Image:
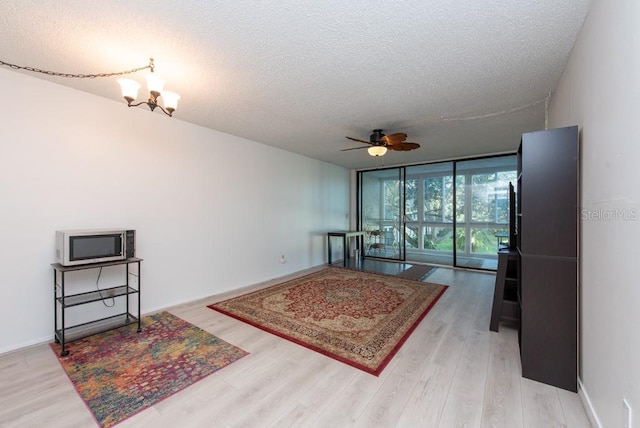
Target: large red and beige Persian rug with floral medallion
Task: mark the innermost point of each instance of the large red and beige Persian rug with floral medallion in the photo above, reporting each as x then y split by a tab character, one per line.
356	317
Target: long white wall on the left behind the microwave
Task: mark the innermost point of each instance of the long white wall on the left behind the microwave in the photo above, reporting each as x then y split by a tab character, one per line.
213	212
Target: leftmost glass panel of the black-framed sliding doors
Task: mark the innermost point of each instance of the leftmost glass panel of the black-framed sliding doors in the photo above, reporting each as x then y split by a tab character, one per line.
382	207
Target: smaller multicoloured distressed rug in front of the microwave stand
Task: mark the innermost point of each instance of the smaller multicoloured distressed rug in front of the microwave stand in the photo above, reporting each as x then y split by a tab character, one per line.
121	372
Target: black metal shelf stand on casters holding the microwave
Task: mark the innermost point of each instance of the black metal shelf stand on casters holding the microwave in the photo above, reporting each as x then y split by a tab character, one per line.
63	333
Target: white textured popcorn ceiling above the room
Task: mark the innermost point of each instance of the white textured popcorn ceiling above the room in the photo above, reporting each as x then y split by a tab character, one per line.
459	77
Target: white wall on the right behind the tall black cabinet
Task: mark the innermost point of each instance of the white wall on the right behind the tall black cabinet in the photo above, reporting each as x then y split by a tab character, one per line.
600	92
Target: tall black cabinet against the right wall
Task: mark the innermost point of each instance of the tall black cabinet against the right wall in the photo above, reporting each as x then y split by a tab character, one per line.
547	244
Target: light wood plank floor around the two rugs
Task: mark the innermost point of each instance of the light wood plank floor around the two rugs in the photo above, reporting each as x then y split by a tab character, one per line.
451	372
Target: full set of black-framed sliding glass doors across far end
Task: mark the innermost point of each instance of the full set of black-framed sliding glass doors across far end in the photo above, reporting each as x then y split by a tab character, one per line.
447	213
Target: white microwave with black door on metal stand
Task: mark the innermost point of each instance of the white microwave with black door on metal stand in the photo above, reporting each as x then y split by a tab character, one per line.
79	247
